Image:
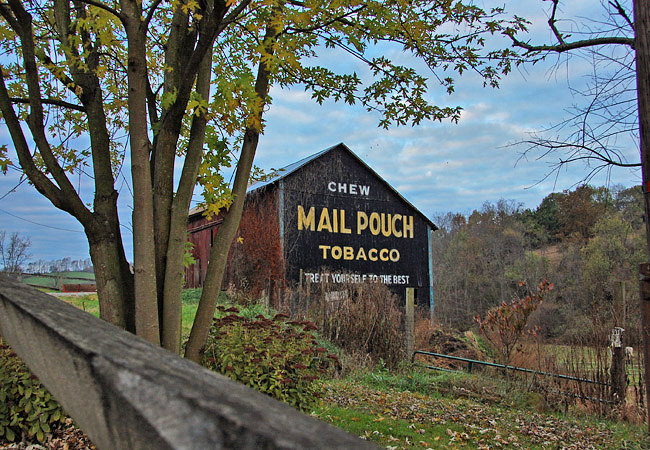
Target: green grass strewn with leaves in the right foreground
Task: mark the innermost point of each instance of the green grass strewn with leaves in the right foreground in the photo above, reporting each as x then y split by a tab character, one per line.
442	410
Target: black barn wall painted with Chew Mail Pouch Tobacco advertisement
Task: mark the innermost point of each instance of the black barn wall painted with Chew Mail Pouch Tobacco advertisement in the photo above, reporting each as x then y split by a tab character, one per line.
345	224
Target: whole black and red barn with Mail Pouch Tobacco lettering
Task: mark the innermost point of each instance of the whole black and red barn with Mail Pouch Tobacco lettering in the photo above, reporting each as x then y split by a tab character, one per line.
328	217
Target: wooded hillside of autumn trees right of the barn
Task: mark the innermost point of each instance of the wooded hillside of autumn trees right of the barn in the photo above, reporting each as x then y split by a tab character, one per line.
588	242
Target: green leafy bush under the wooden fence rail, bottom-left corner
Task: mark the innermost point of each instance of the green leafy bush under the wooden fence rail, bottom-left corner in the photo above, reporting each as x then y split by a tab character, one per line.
27	409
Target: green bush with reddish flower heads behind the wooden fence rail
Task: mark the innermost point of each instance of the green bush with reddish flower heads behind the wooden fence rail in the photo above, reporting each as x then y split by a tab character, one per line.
276	357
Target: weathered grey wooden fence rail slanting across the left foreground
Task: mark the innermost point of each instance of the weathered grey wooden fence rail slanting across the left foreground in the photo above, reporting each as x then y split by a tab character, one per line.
126	393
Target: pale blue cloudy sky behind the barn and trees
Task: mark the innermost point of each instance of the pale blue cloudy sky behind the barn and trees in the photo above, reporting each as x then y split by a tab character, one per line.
438	167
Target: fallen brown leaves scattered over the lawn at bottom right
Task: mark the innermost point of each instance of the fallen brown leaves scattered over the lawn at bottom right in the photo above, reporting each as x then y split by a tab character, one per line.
401	419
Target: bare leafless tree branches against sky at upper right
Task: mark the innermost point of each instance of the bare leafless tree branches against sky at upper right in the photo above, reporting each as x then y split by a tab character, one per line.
604	123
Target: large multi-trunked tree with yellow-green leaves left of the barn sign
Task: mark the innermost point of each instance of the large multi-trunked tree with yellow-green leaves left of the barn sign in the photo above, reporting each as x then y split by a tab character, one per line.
191	79
